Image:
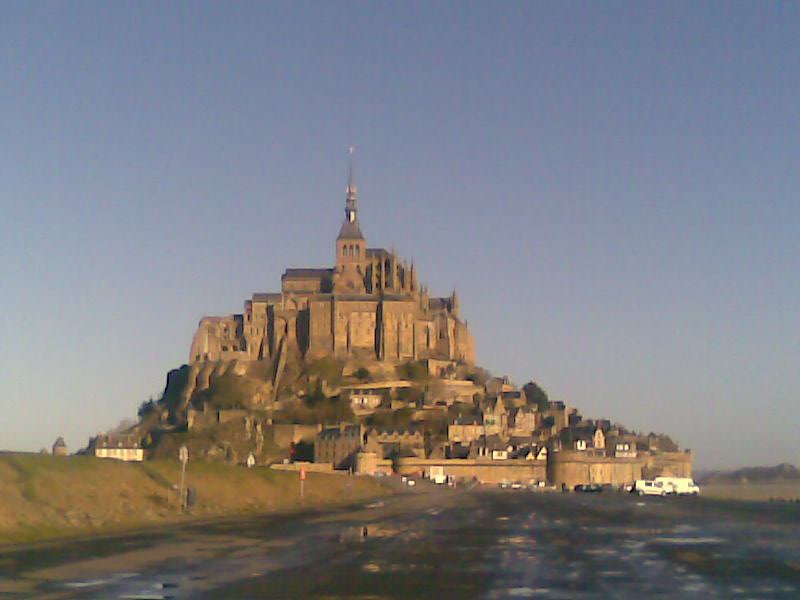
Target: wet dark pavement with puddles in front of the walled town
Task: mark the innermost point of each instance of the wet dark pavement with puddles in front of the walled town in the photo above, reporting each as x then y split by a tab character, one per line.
464	544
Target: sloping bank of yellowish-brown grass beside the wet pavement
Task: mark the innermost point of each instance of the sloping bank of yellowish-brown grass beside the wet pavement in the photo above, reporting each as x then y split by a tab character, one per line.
48	496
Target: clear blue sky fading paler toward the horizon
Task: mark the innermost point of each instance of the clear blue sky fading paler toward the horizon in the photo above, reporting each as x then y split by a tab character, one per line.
613	188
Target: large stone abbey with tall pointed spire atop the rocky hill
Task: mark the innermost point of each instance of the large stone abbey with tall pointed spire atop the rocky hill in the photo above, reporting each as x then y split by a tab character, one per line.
368	306
